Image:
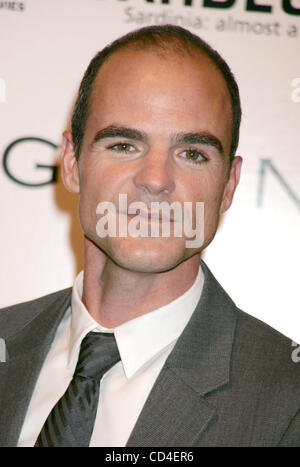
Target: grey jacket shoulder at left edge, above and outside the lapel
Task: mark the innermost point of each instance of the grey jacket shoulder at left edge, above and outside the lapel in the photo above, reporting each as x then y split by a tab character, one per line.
19	315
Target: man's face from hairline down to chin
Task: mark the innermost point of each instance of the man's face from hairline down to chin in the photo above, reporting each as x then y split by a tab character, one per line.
158	129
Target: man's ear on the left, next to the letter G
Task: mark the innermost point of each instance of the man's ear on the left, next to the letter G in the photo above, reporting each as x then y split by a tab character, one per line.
69	164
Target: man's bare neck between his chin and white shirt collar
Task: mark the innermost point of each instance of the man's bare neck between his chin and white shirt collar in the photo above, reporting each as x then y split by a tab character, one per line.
114	295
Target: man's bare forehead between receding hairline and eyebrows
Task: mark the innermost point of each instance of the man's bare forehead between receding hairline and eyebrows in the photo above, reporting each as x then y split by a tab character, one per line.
149	86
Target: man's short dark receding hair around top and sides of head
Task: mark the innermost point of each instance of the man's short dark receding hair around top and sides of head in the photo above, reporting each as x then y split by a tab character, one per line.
165	37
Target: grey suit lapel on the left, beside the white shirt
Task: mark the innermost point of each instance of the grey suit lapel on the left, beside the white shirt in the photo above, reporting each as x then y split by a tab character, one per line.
27	349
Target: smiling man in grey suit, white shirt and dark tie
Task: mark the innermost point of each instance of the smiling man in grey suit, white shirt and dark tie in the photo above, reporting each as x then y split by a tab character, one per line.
156	120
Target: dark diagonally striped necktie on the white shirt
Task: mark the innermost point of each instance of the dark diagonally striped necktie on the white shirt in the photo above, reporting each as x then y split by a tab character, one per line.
71	421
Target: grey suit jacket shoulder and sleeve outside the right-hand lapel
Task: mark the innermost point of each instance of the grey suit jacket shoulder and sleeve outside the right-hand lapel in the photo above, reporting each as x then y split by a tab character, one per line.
261	401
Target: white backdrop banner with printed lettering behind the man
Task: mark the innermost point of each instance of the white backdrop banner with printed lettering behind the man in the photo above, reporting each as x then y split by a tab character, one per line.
45	46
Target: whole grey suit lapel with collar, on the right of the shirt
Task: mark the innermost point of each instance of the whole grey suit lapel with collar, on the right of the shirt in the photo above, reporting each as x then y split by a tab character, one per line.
176	412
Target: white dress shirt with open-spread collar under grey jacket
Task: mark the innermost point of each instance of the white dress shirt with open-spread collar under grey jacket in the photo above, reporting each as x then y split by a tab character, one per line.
144	344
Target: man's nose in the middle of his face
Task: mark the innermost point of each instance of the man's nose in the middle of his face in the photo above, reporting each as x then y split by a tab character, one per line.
154	176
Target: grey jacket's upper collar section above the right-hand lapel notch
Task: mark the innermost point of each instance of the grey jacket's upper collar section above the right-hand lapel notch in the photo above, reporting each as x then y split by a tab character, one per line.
203	352
